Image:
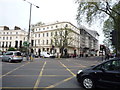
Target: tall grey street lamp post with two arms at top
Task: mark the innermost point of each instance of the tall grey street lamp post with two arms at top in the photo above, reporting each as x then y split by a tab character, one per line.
28	37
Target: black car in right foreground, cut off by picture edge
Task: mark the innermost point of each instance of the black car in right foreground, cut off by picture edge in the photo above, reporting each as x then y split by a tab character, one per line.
104	75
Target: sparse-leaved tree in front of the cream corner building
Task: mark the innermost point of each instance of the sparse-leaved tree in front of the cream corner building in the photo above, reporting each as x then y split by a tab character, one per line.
62	39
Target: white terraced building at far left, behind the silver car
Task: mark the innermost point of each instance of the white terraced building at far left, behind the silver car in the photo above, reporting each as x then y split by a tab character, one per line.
11	38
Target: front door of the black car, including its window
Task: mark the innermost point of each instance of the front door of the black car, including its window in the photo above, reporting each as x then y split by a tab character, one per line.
104	74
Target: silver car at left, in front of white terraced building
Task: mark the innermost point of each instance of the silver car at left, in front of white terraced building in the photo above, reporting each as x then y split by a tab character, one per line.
12	56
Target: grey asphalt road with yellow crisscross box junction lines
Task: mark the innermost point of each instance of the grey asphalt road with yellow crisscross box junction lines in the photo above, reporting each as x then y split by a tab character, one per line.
44	73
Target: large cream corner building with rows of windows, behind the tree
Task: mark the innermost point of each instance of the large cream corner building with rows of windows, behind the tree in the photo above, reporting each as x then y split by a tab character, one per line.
44	37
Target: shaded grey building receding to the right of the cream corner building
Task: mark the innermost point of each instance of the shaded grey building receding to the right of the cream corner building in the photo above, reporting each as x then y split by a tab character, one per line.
89	44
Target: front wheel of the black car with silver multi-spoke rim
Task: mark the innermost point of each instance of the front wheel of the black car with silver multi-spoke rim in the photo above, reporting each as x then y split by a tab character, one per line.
88	83
